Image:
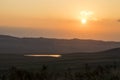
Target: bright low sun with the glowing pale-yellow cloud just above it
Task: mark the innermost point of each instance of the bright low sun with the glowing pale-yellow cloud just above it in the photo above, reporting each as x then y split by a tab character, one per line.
86	16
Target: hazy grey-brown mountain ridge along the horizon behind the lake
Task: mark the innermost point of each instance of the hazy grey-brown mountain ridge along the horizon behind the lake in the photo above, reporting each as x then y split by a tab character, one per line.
10	44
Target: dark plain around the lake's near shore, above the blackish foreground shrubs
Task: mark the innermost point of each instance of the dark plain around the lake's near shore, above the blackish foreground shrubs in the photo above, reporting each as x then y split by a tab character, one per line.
73	60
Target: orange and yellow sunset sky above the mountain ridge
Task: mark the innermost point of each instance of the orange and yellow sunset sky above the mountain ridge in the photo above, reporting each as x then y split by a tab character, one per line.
83	19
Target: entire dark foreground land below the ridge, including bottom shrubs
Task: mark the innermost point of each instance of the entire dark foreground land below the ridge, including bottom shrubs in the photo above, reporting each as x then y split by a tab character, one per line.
75	66
